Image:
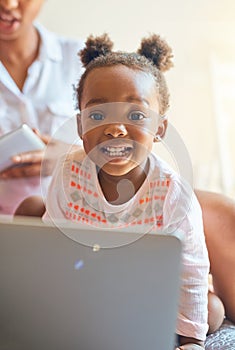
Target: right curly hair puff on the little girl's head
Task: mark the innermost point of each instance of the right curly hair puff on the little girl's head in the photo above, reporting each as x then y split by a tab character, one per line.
158	51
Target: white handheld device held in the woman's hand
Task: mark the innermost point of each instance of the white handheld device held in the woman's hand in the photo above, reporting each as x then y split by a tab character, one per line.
20	140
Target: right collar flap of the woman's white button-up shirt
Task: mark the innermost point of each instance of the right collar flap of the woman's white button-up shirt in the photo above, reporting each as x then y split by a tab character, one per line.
50	47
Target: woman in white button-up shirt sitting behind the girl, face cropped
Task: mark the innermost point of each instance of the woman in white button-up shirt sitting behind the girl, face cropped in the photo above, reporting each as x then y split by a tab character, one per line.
37	73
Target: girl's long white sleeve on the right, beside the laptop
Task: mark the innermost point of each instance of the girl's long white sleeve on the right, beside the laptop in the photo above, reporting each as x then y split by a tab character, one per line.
183	214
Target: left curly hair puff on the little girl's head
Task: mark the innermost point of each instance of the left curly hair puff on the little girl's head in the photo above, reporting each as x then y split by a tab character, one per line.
95	47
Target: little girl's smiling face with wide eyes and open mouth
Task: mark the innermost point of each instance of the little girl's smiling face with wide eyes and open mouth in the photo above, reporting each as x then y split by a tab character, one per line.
116	132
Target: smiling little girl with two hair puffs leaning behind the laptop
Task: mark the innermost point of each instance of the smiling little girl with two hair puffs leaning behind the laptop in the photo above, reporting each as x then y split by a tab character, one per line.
118	182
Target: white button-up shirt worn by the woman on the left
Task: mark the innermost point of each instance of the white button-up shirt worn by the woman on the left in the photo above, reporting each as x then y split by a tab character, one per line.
45	103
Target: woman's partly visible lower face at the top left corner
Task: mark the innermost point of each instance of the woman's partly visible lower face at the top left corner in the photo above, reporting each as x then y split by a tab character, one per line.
17	16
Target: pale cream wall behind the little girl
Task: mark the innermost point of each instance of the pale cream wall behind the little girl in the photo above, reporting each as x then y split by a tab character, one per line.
196	30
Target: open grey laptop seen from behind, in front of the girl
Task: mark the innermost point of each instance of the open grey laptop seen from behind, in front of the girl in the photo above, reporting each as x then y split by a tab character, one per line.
58	293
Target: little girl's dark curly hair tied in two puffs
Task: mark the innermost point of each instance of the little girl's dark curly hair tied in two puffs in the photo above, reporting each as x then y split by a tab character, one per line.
154	57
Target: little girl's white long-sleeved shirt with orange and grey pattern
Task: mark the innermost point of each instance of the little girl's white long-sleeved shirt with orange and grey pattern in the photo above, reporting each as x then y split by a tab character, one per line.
164	203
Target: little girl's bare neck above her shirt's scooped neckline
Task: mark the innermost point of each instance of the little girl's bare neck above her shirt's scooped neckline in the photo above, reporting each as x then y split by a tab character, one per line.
120	189
